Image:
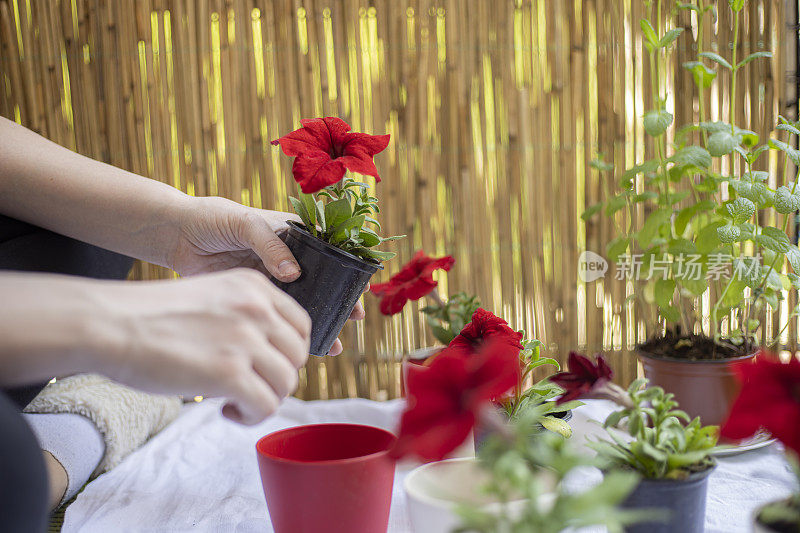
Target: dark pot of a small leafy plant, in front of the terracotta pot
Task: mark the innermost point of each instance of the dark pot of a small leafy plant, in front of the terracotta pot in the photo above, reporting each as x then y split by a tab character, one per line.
684	500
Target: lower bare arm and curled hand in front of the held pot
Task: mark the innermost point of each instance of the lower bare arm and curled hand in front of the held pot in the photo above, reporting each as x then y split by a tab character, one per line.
231	334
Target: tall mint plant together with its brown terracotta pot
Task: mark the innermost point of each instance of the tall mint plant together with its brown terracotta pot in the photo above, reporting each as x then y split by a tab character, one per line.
698	249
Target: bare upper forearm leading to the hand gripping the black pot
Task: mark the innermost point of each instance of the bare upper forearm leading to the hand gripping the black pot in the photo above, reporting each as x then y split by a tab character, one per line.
50	186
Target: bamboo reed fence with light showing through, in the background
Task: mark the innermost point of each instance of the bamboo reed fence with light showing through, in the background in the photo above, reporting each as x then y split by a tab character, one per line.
495	108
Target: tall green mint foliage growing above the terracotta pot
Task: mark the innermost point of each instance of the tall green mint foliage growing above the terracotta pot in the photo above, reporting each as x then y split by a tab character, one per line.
679	193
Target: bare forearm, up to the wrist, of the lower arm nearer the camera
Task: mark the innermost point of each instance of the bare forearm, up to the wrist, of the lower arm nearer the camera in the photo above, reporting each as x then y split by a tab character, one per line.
46	327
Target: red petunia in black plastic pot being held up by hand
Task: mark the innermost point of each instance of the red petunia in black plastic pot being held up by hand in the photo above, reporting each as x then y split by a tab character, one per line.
335	244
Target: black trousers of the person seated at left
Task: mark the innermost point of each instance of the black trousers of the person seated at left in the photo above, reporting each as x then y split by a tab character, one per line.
23	478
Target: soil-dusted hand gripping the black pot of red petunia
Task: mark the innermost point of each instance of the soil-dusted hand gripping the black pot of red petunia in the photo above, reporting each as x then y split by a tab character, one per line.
218	234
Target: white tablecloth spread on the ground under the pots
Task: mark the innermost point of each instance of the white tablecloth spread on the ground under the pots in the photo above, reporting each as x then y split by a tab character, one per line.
200	474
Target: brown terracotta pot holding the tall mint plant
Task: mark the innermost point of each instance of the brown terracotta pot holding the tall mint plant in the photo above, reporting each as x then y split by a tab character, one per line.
704	388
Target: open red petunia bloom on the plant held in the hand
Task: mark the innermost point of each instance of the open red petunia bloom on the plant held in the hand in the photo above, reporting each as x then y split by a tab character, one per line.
324	147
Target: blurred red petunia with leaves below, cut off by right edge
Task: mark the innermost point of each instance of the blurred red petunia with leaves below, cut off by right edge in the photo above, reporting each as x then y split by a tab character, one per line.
770	399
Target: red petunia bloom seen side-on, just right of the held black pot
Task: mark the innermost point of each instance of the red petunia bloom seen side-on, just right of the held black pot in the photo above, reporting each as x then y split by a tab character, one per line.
414	281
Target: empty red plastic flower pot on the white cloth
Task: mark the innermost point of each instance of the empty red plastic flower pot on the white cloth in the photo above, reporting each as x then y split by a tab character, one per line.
335	478
